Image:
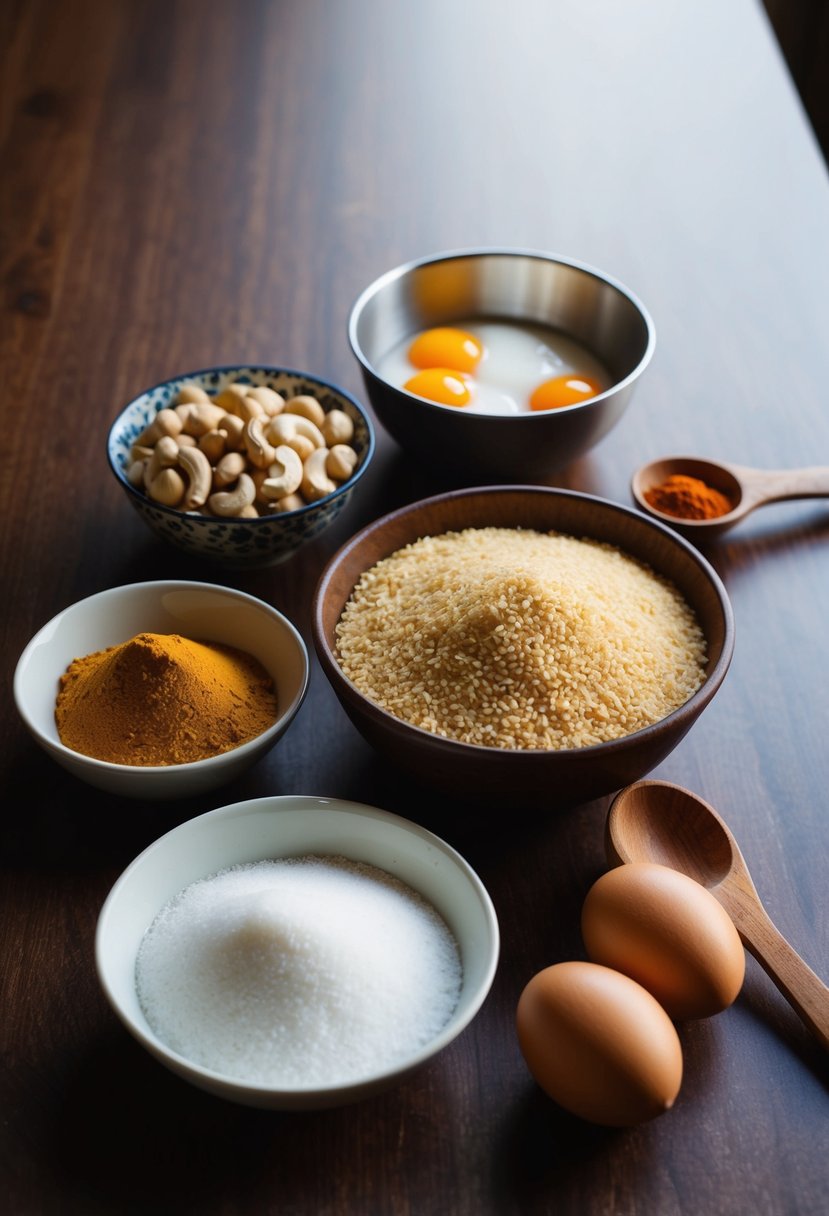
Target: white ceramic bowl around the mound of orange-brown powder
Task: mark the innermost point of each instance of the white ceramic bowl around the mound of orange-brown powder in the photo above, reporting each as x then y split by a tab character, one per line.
199	611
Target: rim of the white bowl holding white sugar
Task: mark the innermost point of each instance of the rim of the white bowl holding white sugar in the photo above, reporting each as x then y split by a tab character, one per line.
274	806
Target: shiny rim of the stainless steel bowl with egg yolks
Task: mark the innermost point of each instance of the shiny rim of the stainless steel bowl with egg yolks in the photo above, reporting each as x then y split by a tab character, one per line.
459	255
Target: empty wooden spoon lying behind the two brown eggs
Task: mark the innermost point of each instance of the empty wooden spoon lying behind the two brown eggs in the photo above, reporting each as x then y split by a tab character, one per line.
664	824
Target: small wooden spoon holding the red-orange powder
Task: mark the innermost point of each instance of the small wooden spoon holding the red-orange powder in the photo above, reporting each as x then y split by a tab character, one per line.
747	488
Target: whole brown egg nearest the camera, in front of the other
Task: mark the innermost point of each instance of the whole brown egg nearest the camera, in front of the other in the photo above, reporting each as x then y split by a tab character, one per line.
599	1044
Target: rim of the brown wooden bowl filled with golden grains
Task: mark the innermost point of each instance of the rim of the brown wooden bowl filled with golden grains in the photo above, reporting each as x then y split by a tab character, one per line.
698	700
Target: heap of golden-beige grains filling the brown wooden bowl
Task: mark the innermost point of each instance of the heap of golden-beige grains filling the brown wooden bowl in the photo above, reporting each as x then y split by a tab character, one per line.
516	639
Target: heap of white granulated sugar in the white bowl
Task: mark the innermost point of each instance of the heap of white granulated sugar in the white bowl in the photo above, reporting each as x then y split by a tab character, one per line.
298	973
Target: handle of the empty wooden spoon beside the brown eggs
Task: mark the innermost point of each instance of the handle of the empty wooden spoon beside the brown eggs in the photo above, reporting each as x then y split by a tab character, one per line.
796	979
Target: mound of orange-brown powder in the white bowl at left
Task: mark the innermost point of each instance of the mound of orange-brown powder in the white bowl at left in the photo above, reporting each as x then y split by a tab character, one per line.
163	700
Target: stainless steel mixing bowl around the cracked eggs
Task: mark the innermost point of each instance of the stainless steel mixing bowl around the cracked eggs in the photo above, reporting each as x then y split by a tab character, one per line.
512	285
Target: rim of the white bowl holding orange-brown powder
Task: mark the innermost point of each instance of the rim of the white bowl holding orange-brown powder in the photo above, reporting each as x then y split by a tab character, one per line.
210	763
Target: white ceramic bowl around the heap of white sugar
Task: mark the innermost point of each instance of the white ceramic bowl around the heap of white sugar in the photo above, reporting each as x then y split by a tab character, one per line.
281	827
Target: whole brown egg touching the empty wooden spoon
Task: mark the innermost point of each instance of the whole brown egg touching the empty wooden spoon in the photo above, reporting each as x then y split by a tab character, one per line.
669	934
